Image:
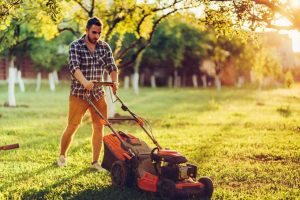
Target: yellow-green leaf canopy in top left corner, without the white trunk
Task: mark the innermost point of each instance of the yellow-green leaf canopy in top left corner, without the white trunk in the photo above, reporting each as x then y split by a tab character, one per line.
38	17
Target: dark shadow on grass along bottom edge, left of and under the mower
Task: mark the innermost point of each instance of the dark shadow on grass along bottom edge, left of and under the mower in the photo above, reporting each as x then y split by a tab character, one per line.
63	189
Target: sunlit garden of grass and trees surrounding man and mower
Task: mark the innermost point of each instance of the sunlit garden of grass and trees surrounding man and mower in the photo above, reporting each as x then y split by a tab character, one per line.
217	80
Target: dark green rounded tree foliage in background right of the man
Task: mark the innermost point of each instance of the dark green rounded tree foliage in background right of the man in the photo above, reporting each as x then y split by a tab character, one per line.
175	45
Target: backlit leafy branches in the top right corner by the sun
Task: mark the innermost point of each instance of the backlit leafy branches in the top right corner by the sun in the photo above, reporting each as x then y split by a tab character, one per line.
262	13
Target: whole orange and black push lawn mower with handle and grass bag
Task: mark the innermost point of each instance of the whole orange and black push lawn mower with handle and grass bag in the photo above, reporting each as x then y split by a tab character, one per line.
131	161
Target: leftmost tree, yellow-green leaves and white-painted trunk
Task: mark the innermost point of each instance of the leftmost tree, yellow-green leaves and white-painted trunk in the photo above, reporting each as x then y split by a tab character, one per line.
20	22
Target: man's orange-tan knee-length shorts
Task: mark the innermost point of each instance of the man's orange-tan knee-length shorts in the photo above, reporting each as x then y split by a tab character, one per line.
78	107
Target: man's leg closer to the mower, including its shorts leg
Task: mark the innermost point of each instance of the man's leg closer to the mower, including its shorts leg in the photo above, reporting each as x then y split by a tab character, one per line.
98	127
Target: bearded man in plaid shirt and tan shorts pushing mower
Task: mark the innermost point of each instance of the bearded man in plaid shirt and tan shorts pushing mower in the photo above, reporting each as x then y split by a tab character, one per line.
88	59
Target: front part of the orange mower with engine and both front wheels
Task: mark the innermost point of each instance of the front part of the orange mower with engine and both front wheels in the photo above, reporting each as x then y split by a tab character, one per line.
177	177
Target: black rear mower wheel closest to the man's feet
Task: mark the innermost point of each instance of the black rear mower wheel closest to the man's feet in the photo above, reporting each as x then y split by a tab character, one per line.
120	174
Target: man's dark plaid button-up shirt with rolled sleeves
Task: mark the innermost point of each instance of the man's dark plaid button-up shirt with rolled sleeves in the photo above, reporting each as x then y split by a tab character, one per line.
91	65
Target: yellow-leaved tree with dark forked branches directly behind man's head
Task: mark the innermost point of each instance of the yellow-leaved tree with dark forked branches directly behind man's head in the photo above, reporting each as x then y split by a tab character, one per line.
120	18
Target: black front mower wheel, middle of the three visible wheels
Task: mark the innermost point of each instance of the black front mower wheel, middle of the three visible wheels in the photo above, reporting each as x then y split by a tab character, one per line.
167	189
